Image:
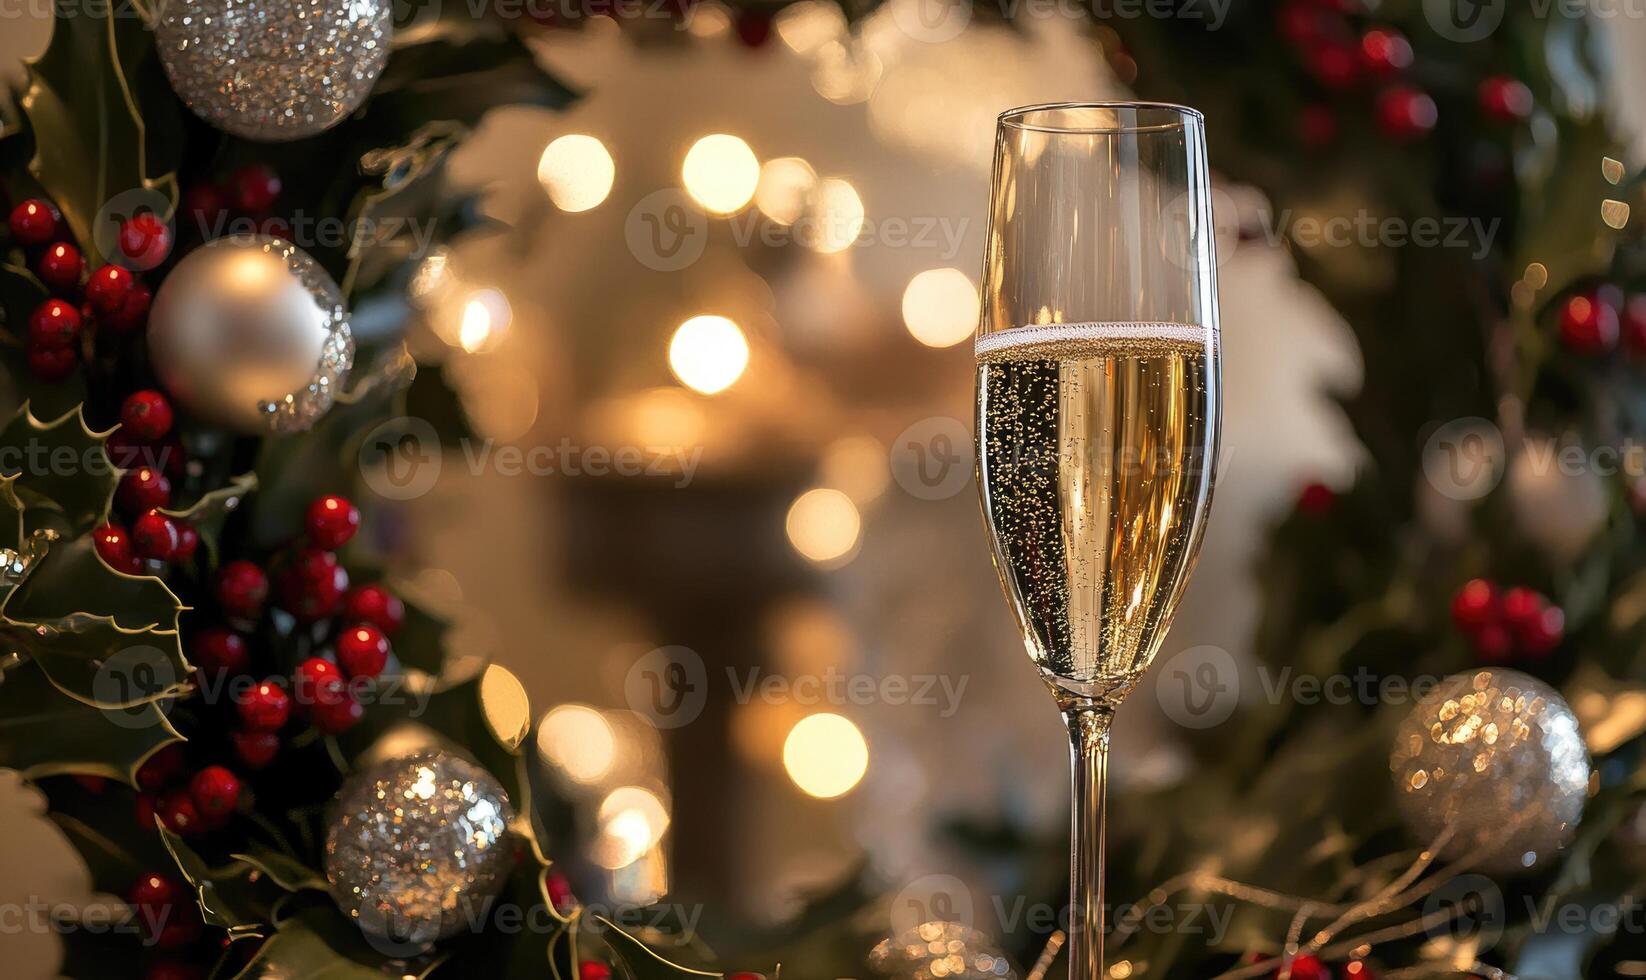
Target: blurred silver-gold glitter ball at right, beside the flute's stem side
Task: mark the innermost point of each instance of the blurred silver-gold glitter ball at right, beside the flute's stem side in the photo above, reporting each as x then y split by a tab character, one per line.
1497	763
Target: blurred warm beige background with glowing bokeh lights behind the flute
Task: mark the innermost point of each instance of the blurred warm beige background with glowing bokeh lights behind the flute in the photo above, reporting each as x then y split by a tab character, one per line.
559	335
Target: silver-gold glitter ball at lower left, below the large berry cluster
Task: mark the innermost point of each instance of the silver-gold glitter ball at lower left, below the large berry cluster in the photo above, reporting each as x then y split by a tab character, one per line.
419	846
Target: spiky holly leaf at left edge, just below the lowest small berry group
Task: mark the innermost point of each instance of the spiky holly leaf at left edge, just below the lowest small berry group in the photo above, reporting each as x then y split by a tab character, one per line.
123	651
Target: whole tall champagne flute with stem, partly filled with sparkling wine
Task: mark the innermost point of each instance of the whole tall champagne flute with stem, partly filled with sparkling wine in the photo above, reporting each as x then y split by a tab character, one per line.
1099	401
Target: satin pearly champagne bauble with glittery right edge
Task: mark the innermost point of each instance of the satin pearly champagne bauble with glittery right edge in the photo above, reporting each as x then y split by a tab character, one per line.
251	334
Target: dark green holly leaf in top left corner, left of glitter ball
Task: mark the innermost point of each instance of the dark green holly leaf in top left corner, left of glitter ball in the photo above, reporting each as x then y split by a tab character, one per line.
85	105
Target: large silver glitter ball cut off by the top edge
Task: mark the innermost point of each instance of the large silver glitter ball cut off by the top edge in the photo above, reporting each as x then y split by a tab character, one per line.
274	70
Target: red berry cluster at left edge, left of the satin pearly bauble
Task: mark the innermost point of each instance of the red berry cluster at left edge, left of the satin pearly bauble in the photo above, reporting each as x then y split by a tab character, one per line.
111	296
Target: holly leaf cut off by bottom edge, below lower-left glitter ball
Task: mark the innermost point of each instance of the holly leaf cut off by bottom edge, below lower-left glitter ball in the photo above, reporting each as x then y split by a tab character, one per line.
319	941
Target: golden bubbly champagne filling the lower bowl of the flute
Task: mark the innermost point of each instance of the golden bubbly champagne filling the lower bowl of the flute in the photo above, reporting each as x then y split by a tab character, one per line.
1097	452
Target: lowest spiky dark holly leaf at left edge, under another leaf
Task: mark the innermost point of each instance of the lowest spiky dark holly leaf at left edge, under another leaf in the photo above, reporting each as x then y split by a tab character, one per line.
45	732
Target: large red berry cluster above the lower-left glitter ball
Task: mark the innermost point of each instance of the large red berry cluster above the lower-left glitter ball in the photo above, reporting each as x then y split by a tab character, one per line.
314	587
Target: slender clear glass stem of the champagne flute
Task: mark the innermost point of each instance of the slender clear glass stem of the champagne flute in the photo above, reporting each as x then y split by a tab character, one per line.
1089	734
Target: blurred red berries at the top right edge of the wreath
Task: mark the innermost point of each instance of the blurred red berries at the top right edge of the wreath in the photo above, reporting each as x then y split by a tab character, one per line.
1342	57
